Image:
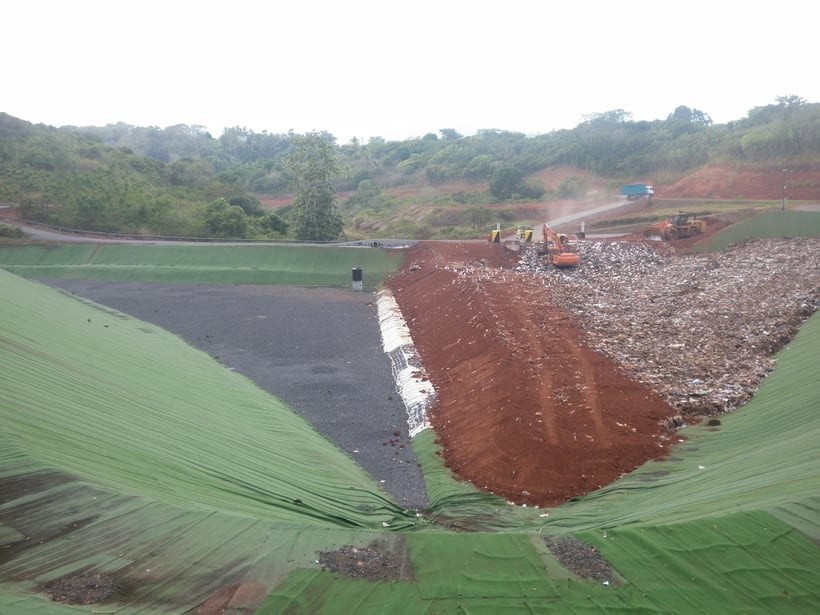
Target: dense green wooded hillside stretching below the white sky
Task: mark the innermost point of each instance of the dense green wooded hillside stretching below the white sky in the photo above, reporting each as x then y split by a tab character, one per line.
182	181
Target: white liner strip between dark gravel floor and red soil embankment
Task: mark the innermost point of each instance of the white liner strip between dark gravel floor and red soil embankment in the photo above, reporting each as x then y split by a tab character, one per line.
416	391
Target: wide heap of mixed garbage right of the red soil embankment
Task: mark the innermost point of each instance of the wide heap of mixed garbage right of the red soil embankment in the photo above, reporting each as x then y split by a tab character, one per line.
698	329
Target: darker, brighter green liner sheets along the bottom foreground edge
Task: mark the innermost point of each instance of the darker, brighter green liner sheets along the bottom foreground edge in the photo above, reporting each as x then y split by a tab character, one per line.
743	563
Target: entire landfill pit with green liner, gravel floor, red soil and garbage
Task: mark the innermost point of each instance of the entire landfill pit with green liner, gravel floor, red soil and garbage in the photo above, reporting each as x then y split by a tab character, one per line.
609	424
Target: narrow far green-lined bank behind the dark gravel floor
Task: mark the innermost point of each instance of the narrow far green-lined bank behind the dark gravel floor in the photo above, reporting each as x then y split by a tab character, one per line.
302	265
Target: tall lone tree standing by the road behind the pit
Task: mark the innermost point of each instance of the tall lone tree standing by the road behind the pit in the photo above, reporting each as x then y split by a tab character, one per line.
313	168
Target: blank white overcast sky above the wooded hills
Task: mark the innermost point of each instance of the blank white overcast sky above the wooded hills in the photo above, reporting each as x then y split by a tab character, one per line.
397	70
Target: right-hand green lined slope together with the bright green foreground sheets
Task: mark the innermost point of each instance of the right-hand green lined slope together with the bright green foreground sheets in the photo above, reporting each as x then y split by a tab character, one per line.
730	524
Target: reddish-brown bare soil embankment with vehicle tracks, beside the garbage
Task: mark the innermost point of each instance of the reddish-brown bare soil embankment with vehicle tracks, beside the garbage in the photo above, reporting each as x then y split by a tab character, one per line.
525	410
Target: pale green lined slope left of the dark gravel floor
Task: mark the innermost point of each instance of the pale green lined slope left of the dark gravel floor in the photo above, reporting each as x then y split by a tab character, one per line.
110	399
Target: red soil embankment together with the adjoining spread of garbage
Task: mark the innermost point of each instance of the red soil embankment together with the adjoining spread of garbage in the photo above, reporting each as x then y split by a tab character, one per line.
552	383
